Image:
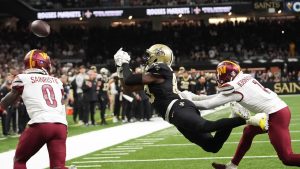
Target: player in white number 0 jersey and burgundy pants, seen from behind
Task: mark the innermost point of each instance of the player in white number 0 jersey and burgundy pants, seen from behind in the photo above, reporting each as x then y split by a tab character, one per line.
43	98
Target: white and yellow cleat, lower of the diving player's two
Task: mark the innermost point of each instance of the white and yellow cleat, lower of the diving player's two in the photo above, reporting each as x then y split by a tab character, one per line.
260	120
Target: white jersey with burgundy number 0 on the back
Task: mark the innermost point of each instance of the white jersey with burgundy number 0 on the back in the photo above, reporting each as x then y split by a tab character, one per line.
42	96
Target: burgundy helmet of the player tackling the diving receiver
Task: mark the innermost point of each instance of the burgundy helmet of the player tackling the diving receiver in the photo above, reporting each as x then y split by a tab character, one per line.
227	71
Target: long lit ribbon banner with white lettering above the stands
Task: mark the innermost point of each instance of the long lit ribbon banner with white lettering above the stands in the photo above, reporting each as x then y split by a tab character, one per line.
140	12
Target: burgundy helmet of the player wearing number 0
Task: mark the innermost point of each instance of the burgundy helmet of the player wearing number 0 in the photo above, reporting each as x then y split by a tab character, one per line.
37	59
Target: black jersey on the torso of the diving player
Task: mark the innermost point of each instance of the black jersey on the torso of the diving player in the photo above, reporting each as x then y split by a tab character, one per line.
161	95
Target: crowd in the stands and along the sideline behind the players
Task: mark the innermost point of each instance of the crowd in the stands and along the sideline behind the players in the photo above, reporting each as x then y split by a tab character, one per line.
89	86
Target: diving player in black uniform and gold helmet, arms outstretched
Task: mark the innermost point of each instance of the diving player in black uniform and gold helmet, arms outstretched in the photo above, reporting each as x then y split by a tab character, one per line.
160	84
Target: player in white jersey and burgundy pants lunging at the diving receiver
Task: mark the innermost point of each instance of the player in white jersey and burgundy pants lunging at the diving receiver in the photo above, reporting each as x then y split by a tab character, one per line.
246	90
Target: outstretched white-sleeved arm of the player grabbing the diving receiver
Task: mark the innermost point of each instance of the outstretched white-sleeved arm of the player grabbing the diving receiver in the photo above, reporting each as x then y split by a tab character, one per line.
217	100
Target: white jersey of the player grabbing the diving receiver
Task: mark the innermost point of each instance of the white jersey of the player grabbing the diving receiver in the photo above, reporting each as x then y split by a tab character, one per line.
255	97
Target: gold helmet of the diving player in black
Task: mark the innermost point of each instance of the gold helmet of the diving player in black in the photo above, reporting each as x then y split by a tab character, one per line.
159	53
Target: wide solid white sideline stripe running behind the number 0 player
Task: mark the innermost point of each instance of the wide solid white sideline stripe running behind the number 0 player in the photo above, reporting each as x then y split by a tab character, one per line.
90	142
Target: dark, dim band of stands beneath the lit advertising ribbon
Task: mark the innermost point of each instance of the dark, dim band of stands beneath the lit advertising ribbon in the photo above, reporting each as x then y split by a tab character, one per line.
266	40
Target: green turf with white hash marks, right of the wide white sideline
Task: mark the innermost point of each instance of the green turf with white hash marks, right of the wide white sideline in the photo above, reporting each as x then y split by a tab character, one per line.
168	149
